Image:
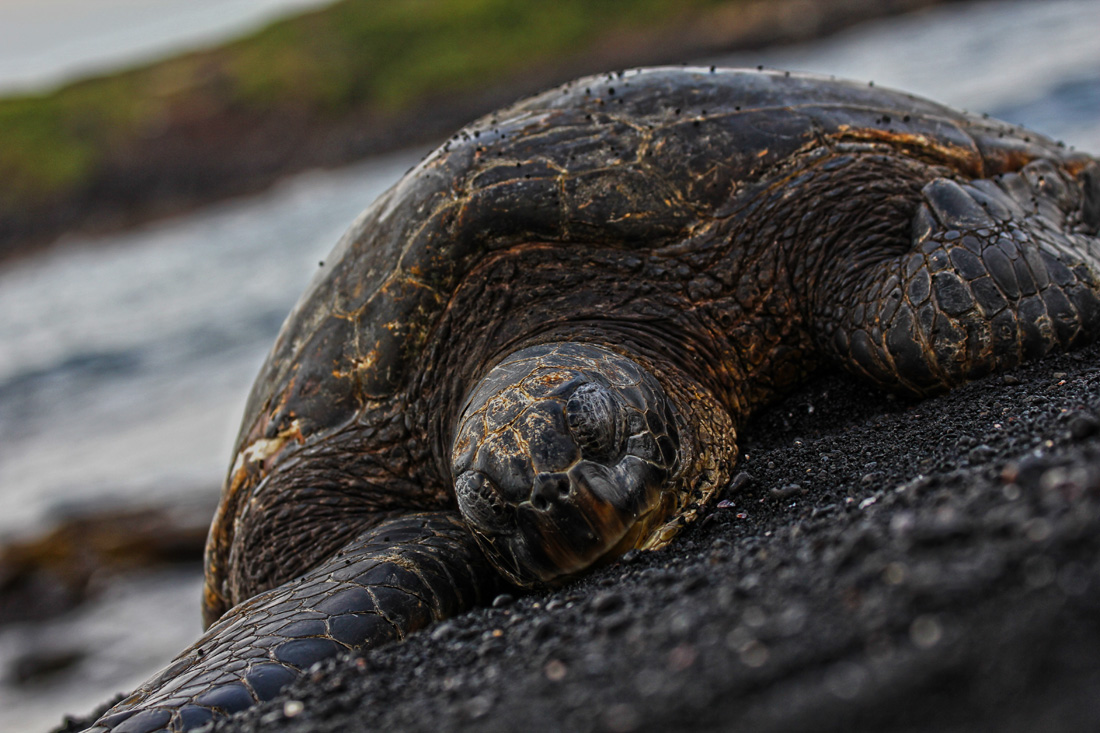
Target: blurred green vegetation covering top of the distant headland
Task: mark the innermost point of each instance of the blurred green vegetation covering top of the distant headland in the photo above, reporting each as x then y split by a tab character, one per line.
378	54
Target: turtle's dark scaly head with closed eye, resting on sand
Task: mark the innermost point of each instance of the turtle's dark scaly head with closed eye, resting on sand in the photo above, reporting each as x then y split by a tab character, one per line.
564	458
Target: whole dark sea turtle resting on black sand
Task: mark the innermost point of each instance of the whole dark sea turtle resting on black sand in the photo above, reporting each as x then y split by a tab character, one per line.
537	349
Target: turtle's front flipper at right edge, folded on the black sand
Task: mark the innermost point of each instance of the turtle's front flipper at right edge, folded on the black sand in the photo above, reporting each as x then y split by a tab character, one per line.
999	271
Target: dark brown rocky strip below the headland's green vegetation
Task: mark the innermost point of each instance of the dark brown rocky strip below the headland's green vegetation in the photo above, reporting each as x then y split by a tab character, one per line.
196	161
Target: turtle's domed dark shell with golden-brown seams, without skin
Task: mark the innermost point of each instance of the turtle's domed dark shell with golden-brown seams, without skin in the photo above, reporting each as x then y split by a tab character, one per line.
629	161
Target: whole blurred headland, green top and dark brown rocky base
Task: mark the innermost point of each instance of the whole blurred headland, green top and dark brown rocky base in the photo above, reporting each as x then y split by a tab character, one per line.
336	85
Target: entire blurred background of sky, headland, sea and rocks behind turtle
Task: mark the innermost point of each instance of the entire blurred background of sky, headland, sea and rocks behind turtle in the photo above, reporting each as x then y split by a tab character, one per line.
172	172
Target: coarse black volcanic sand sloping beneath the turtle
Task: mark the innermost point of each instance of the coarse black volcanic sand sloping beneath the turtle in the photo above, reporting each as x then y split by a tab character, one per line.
889	565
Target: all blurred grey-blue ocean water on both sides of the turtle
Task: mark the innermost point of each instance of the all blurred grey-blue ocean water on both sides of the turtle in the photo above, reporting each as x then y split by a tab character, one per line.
125	360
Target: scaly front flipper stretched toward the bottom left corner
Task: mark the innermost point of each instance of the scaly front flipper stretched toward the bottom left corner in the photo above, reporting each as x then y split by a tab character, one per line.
392	581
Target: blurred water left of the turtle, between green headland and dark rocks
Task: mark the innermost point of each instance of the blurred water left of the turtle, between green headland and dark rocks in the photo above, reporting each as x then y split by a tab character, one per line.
126	360
